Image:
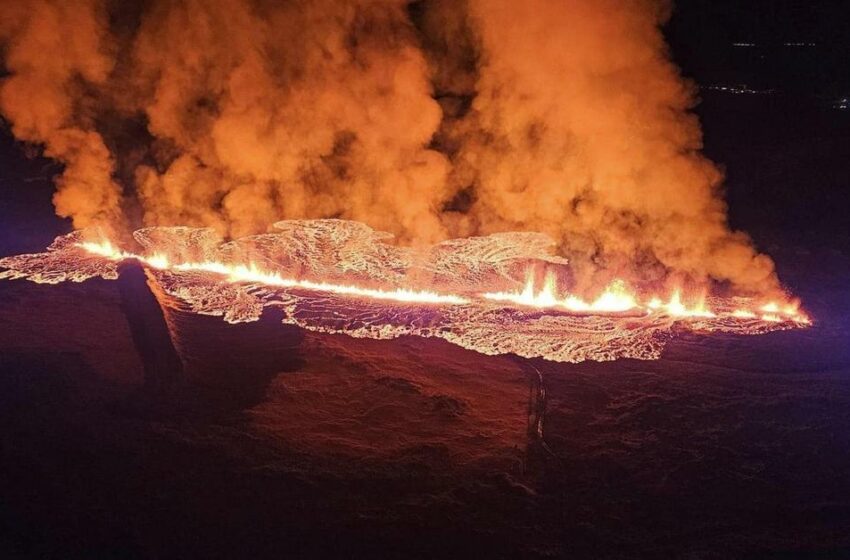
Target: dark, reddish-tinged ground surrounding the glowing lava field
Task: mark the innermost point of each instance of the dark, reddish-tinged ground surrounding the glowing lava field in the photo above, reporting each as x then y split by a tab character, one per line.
327	446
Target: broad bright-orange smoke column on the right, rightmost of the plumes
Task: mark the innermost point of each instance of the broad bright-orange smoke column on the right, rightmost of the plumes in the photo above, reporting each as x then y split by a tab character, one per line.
580	128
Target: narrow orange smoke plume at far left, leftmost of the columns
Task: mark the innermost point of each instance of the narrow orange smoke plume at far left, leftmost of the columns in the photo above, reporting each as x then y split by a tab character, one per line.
56	53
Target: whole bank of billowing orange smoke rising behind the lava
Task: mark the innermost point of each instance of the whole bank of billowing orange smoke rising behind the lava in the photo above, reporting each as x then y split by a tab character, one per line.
429	119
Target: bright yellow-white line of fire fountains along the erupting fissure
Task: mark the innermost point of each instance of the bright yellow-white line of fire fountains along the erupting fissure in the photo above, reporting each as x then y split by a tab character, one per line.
617	298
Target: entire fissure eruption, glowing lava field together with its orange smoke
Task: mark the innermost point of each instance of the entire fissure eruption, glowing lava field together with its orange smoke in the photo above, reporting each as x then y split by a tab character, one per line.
517	178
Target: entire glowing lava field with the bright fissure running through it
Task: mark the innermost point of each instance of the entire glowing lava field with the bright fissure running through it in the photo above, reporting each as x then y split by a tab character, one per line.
338	276
